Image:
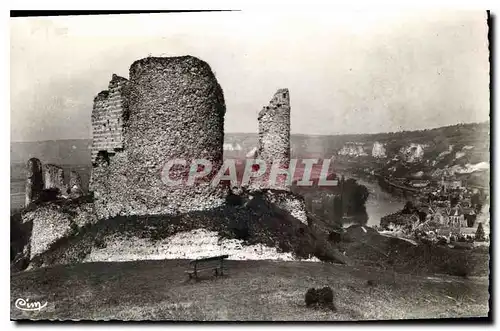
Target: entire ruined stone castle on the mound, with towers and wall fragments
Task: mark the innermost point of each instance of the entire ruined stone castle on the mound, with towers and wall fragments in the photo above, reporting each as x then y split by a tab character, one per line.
169	109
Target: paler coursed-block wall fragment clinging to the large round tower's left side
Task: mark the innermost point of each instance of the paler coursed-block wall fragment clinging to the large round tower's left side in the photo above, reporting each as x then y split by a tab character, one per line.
108	117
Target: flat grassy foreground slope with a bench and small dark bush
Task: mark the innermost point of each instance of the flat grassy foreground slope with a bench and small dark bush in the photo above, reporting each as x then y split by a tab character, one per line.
253	290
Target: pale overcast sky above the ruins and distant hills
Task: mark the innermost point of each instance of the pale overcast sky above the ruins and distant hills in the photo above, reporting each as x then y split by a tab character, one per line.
347	72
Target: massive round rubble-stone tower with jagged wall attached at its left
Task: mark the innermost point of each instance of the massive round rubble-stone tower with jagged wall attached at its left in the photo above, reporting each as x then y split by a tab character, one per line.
171	108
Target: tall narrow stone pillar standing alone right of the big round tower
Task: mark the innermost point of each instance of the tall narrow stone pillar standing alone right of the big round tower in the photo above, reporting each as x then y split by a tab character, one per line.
274	133
